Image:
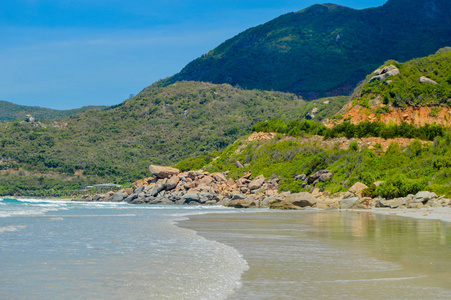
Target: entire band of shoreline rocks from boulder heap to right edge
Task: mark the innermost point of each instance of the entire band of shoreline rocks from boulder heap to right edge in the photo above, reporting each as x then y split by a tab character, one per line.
203	188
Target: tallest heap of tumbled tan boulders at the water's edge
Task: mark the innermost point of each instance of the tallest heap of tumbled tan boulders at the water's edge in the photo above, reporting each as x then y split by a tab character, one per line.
169	186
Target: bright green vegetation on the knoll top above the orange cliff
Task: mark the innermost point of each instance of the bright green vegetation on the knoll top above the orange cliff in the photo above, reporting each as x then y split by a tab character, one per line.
406	89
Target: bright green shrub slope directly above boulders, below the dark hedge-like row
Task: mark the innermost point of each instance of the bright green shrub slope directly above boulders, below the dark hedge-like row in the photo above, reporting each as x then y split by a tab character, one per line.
403	170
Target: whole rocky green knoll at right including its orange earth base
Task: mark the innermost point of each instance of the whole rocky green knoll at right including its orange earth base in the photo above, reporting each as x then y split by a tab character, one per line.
417	92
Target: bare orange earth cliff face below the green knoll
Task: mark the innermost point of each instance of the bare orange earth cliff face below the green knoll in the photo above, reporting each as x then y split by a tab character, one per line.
418	116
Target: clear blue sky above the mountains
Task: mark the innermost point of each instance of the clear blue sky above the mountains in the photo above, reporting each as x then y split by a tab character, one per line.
65	54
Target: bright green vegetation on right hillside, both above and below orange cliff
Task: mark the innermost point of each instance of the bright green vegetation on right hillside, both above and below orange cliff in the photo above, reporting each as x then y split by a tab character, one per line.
403	170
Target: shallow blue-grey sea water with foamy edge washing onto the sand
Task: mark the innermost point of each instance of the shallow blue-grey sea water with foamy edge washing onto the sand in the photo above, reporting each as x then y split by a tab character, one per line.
81	250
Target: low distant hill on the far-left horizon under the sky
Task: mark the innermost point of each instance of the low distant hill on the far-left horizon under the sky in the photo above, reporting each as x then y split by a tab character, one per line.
10	111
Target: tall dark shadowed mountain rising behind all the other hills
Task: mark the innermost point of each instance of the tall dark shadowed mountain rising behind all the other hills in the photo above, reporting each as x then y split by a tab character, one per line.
324	50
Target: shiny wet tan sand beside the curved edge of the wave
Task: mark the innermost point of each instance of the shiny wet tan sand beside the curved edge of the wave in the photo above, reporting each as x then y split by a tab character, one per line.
334	254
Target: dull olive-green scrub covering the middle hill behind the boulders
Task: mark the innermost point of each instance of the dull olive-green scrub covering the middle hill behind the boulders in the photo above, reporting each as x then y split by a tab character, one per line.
158	126
